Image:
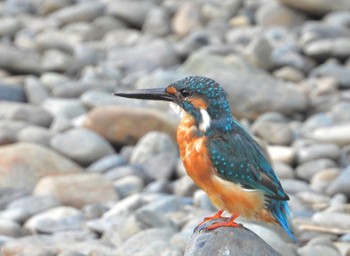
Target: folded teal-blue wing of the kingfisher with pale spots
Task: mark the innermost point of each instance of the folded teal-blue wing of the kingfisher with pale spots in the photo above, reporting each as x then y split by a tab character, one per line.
239	159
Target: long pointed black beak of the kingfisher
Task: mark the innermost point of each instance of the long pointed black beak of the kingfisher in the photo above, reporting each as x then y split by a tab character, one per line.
147	94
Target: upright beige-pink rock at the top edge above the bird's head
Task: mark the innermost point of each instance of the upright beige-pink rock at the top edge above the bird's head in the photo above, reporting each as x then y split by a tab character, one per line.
187	19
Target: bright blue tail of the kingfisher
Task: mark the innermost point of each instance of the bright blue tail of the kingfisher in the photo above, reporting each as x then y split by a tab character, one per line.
280	210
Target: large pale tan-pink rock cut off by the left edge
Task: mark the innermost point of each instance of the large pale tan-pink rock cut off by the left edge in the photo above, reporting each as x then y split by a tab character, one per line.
23	164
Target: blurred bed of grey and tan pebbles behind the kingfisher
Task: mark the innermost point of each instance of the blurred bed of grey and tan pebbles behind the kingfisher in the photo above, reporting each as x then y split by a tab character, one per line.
85	173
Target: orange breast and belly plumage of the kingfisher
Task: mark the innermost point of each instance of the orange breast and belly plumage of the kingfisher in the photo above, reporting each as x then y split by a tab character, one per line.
223	194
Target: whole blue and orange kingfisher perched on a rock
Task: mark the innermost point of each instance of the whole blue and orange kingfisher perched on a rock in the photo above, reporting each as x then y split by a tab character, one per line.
219	154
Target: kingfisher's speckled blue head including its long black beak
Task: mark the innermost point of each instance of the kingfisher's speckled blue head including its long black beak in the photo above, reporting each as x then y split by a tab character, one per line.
201	97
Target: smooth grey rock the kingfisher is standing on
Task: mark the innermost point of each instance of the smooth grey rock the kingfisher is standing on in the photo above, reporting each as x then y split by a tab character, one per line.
229	241
